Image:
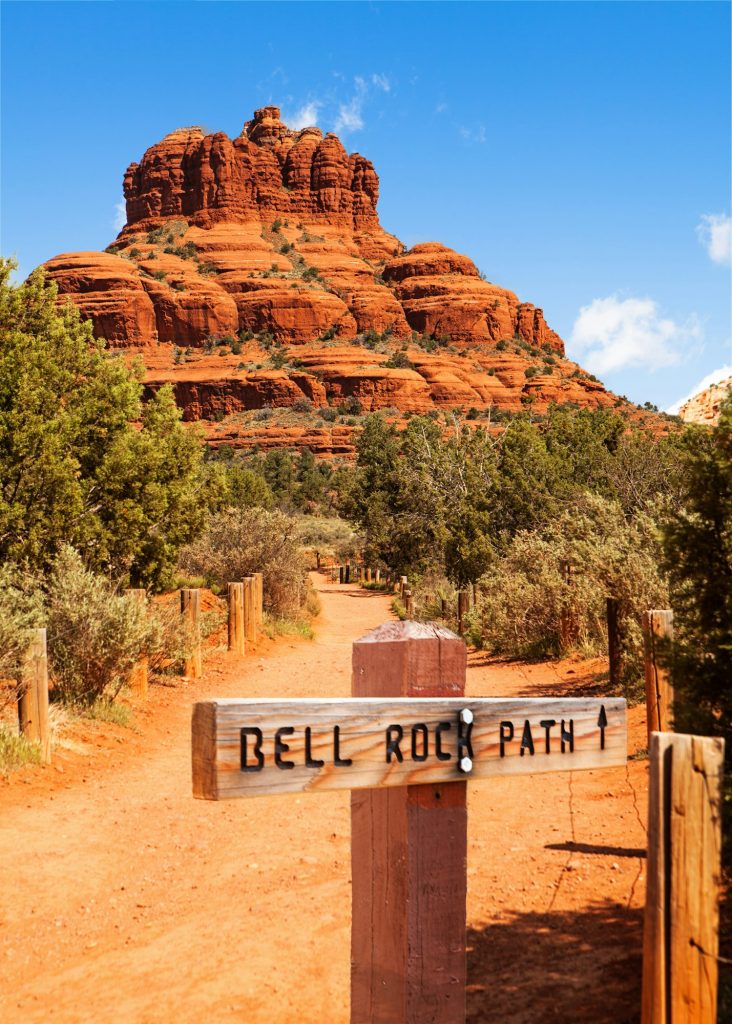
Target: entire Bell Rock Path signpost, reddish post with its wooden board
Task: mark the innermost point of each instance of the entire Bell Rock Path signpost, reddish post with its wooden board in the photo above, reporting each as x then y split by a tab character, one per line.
405	745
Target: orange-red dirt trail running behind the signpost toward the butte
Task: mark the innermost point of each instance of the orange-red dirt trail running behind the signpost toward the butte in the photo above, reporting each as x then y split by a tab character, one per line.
122	900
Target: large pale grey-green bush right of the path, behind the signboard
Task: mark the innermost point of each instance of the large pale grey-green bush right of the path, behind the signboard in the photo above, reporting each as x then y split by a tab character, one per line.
526	599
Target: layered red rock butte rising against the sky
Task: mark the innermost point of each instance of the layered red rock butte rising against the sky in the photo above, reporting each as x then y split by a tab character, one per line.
236	251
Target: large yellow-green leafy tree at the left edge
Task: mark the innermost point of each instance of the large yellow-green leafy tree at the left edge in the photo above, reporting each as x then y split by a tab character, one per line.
73	468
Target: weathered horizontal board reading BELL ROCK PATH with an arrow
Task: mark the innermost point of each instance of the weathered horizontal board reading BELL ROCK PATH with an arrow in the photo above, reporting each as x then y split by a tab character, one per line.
250	748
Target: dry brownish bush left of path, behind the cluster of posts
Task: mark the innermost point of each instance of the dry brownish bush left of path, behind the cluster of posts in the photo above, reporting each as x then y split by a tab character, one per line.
242	541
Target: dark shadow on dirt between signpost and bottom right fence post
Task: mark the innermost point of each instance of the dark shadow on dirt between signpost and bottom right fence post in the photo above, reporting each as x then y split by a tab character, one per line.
570	967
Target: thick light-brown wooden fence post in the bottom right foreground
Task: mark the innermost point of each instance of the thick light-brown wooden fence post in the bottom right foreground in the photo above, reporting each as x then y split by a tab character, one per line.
680	941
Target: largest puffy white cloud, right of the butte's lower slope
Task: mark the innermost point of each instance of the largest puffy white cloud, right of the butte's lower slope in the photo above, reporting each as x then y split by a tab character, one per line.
614	334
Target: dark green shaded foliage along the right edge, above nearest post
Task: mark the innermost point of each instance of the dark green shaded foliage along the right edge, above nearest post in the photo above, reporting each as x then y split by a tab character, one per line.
698	546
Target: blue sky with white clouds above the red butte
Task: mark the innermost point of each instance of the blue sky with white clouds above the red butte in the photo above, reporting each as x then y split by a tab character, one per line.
580	153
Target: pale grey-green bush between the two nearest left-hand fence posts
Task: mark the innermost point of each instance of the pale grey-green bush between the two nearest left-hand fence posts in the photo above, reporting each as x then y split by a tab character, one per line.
96	635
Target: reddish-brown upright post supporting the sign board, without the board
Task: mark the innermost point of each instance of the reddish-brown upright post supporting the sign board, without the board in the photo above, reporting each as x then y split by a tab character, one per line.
409	851
